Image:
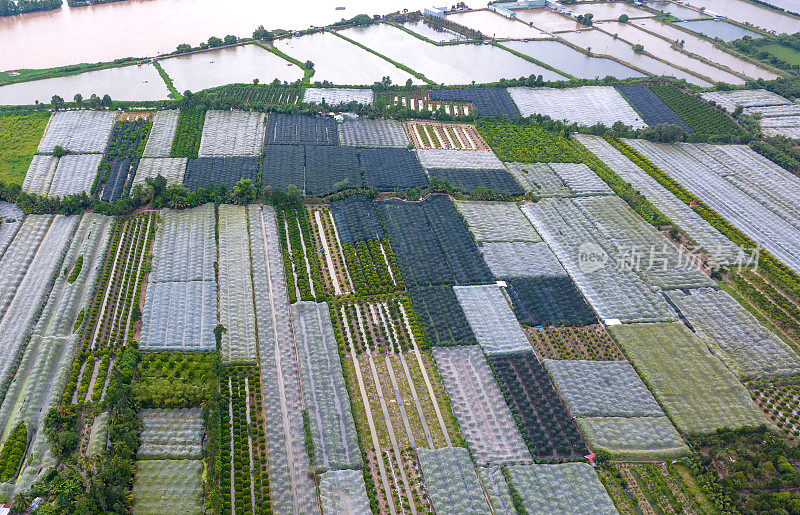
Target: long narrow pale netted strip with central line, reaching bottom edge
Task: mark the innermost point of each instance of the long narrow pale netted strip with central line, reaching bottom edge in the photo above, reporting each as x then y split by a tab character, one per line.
291	488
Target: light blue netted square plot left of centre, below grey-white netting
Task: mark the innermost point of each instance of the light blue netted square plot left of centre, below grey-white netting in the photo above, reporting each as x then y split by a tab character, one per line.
179	316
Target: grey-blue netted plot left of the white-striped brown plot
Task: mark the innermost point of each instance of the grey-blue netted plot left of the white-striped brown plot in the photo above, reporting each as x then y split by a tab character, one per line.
301	129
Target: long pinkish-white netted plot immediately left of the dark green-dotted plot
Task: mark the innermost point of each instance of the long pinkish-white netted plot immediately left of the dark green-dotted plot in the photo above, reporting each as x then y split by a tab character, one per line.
486	422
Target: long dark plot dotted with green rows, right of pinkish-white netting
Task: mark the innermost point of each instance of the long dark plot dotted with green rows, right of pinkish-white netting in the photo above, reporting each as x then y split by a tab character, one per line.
543	419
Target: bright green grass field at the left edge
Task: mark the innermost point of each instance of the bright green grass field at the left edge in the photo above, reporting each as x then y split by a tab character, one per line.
20	133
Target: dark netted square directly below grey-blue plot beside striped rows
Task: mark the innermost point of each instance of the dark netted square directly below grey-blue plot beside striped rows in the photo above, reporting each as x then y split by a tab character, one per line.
389	169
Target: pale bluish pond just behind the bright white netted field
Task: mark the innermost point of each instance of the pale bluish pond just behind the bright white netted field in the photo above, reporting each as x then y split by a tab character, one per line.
569	60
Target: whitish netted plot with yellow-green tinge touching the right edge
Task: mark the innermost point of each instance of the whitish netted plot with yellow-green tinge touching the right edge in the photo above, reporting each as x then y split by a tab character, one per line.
735	336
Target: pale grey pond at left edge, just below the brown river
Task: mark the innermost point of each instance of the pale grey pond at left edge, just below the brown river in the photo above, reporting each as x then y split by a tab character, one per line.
127	83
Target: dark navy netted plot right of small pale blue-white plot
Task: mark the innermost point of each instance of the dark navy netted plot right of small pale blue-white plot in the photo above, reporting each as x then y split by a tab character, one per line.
548	300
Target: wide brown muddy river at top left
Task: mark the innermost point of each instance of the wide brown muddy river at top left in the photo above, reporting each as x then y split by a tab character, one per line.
136	28
